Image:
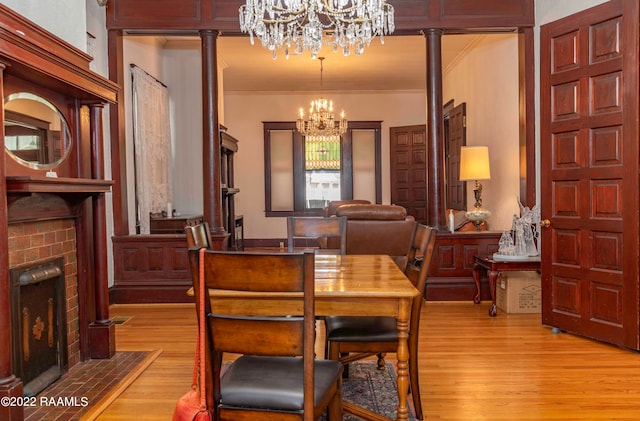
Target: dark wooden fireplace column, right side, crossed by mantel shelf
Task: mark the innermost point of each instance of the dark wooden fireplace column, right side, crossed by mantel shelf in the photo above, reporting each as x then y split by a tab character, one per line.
102	331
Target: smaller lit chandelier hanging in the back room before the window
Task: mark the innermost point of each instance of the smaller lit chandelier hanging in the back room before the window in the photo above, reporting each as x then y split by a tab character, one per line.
321	122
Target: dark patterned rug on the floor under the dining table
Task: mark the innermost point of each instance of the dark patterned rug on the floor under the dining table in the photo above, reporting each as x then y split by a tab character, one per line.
373	389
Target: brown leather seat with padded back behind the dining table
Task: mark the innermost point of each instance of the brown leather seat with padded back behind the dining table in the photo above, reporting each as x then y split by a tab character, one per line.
378	229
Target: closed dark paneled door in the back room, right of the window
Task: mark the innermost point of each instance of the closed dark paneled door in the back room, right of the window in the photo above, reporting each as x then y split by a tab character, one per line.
409	169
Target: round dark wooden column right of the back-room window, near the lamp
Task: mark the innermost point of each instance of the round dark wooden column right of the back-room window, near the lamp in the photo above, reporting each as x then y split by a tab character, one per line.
435	133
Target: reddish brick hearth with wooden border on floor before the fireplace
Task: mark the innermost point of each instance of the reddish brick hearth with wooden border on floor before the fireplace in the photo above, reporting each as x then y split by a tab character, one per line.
89	387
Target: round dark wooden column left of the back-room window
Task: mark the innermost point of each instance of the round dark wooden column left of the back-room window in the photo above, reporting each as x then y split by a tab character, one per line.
211	140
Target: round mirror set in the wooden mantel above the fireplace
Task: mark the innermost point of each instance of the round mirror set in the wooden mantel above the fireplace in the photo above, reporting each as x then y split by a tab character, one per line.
35	133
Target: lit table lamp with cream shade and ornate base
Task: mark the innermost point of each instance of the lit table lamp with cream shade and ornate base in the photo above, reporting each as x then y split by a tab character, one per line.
474	165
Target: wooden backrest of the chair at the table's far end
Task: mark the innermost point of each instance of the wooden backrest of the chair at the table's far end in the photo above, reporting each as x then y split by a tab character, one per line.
319	230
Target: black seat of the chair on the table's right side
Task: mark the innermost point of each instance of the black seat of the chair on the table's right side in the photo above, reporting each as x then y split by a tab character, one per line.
361	329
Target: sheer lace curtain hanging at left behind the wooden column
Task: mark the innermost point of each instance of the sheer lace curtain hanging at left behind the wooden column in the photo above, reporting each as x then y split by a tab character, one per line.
152	143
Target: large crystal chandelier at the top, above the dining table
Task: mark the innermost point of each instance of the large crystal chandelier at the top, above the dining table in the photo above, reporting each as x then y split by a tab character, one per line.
309	24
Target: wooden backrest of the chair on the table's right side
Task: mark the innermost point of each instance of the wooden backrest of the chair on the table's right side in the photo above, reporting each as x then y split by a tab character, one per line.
417	265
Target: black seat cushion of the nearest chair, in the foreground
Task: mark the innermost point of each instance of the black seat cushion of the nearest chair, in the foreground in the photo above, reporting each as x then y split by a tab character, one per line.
274	382
